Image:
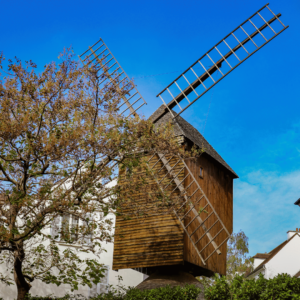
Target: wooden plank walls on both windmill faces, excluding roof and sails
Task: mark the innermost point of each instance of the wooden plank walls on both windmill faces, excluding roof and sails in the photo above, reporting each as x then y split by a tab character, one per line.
158	239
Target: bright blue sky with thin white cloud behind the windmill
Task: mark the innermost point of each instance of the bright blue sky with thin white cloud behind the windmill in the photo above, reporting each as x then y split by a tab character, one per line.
253	119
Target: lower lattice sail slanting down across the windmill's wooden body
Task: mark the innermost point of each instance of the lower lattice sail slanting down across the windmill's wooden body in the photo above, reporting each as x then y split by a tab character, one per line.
190	210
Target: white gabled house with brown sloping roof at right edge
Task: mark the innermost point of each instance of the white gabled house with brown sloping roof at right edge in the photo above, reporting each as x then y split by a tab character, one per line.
282	259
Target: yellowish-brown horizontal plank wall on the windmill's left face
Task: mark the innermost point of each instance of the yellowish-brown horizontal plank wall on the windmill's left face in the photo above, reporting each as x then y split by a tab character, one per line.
152	240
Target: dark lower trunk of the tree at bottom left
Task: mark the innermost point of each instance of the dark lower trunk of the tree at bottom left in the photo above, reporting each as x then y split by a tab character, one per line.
22	285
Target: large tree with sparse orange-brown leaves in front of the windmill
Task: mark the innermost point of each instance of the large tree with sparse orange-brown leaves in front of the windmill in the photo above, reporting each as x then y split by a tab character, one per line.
62	143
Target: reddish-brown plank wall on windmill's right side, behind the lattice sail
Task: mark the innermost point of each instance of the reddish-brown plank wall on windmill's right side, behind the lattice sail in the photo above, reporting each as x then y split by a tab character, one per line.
217	184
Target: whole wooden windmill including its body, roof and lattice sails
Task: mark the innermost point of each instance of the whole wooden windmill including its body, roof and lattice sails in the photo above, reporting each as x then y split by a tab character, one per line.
187	236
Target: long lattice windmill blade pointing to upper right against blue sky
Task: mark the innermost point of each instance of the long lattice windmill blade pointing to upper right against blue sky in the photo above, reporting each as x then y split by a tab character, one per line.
221	59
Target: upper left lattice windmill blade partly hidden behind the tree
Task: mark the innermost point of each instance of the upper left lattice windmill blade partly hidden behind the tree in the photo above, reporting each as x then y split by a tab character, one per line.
100	56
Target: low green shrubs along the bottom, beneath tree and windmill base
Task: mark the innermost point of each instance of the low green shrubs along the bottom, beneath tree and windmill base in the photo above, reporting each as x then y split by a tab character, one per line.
189	292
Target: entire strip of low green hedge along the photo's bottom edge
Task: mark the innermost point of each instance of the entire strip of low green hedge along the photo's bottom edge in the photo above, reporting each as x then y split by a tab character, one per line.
281	287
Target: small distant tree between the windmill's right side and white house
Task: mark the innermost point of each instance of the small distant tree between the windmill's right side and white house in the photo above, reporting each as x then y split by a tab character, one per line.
238	261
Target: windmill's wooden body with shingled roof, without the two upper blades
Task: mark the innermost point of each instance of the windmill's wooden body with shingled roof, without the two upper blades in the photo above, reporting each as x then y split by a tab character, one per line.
159	242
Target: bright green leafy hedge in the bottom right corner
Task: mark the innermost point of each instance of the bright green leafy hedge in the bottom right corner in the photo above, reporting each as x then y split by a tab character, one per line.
282	286
